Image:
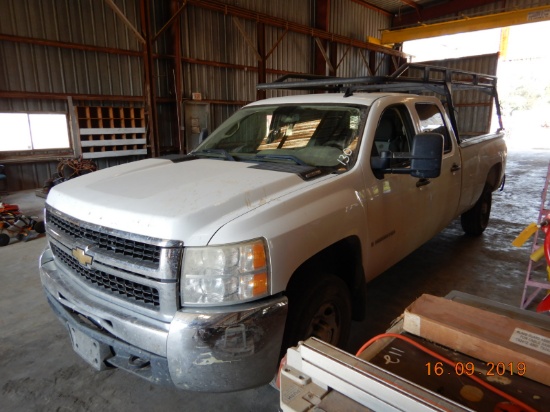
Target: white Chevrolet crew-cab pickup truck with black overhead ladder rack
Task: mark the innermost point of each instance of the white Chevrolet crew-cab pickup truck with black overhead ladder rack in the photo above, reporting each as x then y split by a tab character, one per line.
199	270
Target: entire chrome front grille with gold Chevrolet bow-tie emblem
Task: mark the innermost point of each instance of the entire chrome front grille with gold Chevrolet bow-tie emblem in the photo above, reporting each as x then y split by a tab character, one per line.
133	271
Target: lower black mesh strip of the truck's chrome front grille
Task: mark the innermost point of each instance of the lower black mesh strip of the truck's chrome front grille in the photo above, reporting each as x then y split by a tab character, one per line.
111	283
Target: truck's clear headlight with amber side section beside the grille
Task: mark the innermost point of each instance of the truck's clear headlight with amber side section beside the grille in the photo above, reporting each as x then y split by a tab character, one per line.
224	274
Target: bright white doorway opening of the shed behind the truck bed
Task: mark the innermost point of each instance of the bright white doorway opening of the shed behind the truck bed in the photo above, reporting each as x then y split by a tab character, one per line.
523	78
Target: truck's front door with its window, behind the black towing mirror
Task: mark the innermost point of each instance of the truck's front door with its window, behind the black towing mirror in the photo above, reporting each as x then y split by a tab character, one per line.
397	206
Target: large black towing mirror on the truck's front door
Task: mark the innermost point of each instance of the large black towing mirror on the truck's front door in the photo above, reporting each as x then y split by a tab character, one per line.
427	155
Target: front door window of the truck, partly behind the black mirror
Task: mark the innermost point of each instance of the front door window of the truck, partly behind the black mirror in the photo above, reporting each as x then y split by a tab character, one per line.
394	133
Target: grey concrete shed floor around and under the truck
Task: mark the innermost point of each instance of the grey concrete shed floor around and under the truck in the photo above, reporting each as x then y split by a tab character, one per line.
39	371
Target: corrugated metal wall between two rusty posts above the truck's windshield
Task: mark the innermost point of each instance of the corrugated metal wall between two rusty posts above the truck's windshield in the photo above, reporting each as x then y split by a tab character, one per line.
222	65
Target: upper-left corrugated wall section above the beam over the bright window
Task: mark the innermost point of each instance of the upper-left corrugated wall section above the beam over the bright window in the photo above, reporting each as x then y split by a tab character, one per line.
46	69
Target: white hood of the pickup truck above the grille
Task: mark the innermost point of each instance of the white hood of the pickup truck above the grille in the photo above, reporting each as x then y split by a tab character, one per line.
187	201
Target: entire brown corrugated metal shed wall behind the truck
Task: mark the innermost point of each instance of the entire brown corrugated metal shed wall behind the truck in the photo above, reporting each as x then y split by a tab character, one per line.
53	49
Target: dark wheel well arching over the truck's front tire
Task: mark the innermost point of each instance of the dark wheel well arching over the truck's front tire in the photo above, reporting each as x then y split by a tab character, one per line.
342	259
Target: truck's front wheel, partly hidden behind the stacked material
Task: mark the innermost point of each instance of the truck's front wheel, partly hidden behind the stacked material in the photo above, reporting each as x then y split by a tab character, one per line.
319	306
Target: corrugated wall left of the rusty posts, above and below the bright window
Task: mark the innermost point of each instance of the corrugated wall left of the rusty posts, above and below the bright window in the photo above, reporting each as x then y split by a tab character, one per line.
62	64
